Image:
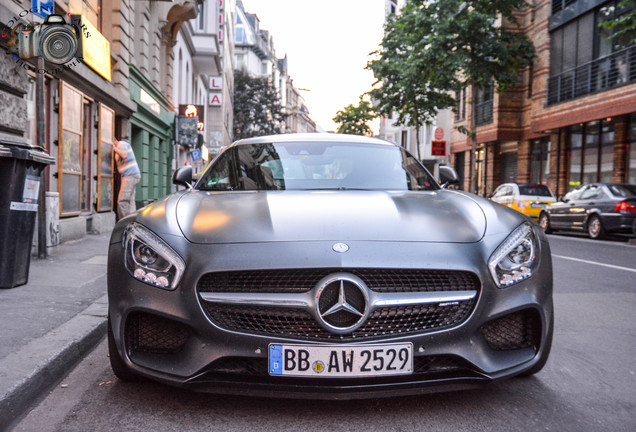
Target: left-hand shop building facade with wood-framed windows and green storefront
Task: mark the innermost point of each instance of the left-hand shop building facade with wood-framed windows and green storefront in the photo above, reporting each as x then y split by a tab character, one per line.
117	86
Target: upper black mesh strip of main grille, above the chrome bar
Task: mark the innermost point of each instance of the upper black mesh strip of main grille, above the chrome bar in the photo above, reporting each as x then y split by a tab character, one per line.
303	280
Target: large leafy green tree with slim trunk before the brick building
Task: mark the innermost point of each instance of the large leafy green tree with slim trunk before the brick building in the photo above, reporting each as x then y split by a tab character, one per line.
435	48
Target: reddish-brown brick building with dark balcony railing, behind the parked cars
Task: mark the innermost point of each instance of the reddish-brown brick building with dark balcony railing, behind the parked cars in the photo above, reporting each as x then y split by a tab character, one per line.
571	119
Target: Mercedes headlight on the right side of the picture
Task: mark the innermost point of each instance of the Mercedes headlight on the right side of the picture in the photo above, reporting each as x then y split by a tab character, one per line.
513	260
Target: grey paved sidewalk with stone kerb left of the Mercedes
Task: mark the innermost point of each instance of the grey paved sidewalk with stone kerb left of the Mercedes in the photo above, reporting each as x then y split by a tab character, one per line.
50	323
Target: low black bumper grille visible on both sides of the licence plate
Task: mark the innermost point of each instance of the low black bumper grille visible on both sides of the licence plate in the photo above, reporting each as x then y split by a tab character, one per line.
257	367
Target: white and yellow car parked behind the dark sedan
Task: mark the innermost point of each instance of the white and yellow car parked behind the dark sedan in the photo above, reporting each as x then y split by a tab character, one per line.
528	199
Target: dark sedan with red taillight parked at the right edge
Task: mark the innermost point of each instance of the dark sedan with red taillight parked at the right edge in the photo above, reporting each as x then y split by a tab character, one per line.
598	209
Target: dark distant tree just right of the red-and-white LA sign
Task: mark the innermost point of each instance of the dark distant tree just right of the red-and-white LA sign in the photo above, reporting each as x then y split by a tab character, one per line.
257	108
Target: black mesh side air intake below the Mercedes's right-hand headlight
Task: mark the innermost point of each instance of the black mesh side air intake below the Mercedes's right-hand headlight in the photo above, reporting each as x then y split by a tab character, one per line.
515	331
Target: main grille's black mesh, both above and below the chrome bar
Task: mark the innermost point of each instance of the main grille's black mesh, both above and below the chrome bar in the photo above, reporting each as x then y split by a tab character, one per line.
300	324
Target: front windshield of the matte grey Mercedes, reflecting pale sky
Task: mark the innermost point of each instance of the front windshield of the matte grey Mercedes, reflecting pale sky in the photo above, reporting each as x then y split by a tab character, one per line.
316	166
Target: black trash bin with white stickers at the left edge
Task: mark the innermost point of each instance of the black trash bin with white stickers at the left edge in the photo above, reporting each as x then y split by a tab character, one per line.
20	168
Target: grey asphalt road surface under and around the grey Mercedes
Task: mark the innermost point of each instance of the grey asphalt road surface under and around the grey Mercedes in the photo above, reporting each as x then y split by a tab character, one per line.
589	383
